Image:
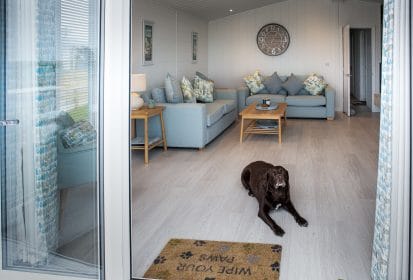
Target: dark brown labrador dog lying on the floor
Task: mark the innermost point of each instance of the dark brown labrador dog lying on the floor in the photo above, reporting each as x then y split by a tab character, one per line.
270	185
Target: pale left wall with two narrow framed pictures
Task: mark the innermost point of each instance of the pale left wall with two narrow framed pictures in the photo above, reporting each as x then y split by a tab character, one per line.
172	44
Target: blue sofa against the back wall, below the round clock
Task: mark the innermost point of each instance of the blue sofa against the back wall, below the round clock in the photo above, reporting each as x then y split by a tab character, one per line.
302	105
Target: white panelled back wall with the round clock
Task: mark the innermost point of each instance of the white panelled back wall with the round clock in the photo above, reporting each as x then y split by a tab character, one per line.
316	41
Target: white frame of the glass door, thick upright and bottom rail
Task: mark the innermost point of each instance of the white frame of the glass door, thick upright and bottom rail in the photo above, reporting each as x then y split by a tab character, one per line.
115	128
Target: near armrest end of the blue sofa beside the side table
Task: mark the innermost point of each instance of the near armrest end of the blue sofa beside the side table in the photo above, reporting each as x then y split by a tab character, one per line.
185	125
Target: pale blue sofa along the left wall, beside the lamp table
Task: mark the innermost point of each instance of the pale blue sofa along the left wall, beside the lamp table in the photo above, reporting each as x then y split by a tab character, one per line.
193	125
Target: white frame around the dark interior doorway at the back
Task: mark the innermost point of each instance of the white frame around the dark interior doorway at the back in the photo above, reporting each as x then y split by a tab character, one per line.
374	68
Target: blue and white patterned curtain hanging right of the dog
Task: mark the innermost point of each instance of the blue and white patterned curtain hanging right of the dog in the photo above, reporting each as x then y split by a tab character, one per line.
381	241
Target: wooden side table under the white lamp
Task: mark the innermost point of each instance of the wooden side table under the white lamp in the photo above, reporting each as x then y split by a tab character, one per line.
144	114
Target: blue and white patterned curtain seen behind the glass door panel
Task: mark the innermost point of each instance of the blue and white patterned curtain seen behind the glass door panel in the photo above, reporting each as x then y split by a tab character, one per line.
31	189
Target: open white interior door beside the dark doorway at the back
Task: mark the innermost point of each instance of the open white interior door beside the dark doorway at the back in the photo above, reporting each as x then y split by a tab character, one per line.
346	70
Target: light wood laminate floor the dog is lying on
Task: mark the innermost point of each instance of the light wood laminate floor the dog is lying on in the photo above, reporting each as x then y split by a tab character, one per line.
186	193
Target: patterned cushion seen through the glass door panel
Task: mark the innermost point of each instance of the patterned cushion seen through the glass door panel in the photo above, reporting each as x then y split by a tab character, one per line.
79	134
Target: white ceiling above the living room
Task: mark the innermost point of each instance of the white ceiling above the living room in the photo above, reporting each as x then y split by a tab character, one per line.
214	9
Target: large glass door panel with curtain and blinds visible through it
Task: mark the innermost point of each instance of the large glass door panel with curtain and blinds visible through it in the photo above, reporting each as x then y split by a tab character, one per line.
50	190
